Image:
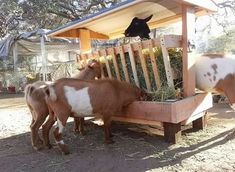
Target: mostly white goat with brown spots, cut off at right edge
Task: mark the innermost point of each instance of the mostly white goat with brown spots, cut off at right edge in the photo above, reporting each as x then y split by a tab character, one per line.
216	73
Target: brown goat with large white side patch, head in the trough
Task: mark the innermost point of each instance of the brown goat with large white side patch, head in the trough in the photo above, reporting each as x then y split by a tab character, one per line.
101	98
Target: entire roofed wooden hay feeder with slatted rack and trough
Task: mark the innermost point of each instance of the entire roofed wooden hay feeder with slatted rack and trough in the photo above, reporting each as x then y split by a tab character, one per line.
170	115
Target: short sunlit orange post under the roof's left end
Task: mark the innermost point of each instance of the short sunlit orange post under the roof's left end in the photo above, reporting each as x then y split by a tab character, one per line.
85	40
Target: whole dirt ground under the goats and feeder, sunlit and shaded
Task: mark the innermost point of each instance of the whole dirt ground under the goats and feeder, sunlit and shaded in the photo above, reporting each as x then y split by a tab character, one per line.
211	149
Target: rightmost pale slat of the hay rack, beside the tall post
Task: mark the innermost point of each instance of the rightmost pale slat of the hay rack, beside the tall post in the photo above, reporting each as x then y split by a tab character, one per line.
167	64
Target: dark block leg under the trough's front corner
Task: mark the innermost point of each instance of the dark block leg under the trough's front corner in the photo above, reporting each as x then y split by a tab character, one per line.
172	132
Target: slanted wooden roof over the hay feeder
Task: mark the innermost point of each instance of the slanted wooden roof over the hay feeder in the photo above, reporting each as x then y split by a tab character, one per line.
111	23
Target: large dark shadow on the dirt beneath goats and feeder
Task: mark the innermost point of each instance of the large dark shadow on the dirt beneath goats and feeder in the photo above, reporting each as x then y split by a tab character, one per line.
132	151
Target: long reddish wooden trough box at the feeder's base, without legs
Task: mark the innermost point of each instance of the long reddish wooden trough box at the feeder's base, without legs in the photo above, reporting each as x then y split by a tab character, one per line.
172	112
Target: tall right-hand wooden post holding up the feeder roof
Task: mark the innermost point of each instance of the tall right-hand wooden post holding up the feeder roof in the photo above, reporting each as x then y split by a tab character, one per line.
188	31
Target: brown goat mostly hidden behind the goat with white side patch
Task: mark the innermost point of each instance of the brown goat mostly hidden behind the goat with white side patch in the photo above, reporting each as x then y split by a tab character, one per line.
35	99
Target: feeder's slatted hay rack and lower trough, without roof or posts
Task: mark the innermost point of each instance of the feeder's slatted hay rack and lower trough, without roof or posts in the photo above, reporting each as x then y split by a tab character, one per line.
169	115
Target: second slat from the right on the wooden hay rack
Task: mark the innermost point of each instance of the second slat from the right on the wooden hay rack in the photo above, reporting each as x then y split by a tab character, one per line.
154	65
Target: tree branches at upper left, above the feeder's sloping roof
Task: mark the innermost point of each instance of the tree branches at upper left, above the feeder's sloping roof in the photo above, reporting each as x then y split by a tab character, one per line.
27	15
